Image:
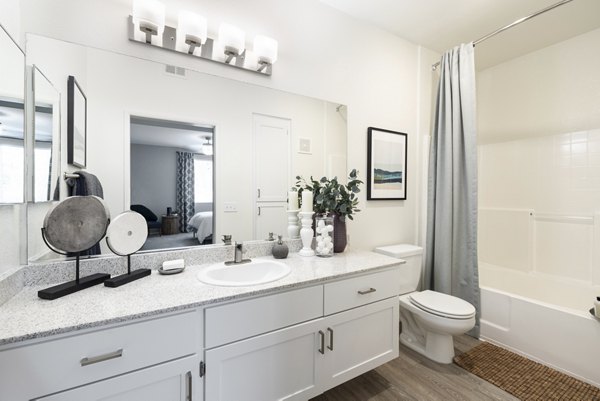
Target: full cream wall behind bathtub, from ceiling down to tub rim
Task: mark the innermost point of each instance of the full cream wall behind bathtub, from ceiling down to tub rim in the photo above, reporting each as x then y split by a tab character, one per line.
539	161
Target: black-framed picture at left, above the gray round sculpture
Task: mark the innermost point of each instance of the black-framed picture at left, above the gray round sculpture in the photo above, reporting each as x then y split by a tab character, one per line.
76	124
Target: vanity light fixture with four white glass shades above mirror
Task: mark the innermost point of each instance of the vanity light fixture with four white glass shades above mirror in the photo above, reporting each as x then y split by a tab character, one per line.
147	25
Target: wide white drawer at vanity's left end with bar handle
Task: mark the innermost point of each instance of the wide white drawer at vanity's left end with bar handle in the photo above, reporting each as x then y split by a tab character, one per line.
43	368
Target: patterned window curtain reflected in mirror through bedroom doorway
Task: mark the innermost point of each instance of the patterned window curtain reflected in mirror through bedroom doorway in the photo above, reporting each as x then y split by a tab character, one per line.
185	188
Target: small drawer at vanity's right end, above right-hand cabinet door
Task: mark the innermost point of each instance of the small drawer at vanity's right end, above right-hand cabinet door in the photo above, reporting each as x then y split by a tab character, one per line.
357	291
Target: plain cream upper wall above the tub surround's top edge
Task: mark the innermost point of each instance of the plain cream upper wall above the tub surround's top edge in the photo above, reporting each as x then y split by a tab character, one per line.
553	90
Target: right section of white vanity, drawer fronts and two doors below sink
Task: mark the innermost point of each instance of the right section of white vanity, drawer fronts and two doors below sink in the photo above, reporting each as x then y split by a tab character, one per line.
299	361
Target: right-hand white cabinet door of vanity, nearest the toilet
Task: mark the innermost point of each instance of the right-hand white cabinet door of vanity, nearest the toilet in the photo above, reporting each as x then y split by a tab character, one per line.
359	340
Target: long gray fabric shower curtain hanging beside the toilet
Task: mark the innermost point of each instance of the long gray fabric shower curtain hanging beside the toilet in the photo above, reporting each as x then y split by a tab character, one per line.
451	247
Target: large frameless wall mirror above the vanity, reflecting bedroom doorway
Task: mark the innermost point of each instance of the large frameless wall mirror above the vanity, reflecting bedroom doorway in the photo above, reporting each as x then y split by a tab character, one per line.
244	143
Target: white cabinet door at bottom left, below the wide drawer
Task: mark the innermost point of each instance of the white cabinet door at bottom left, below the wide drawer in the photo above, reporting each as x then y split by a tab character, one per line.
172	381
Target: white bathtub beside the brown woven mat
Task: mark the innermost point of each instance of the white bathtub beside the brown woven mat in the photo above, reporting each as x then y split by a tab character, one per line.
543	318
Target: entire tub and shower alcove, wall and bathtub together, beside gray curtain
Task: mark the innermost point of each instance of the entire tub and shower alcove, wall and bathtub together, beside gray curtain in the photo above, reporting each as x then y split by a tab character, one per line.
539	198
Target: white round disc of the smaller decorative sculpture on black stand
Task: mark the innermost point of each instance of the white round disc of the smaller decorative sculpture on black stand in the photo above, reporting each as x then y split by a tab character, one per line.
127	233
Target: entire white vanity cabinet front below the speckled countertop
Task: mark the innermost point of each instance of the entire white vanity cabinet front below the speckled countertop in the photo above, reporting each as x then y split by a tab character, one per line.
290	345
